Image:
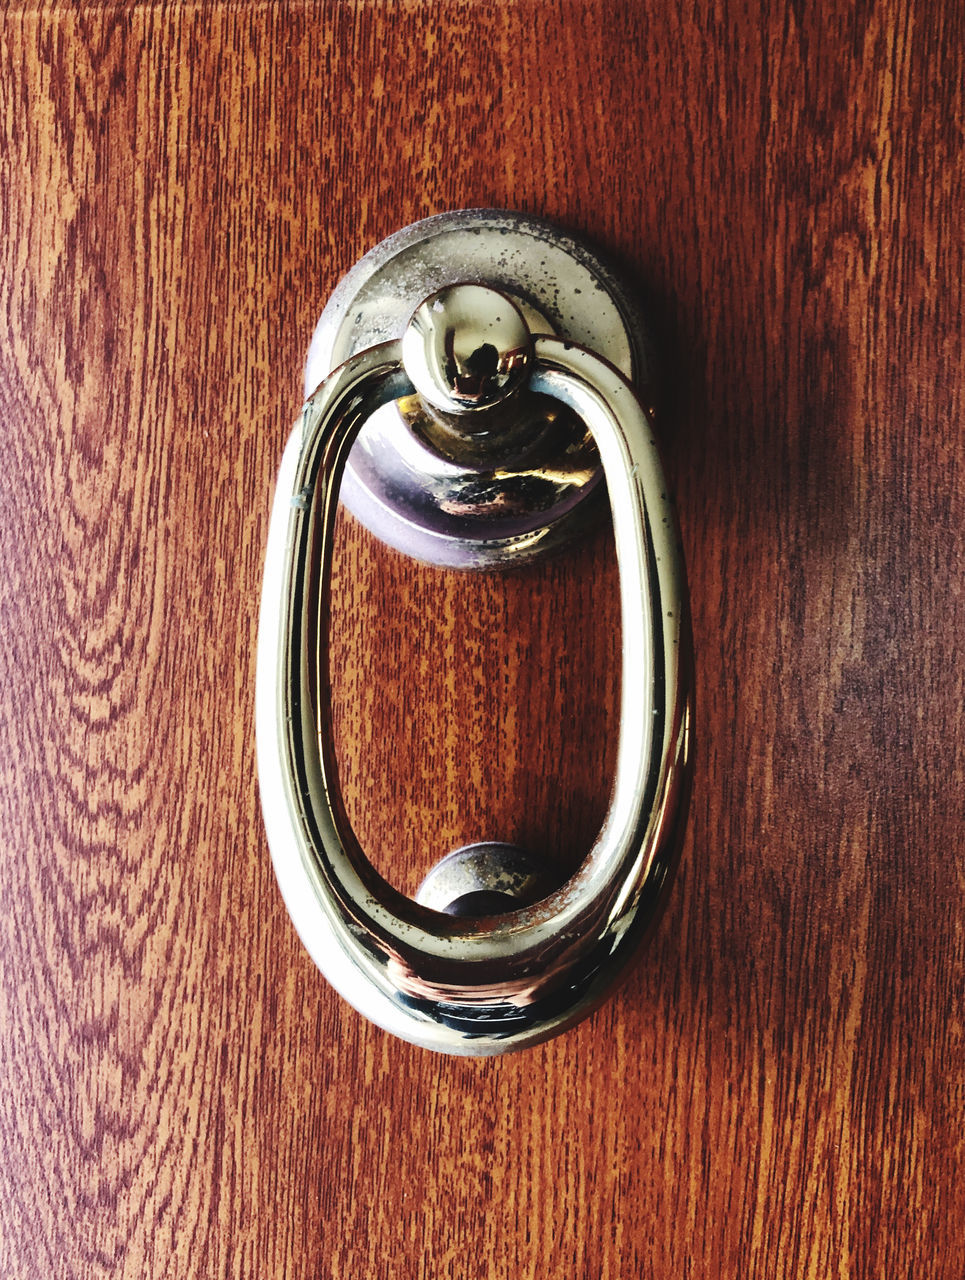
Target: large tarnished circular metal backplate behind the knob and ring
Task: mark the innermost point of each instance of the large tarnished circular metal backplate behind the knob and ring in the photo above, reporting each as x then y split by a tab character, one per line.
399	483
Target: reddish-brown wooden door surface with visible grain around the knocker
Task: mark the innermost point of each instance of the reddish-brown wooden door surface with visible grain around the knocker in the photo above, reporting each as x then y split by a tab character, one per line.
780	1087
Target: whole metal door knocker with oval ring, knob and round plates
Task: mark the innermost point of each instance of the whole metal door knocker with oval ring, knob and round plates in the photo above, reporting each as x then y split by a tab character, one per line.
472	388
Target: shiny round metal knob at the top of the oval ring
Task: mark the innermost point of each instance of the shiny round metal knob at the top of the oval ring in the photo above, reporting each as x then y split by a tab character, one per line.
467	349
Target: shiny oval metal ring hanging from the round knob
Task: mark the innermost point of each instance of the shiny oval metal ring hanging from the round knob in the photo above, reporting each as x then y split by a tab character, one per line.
455	985
